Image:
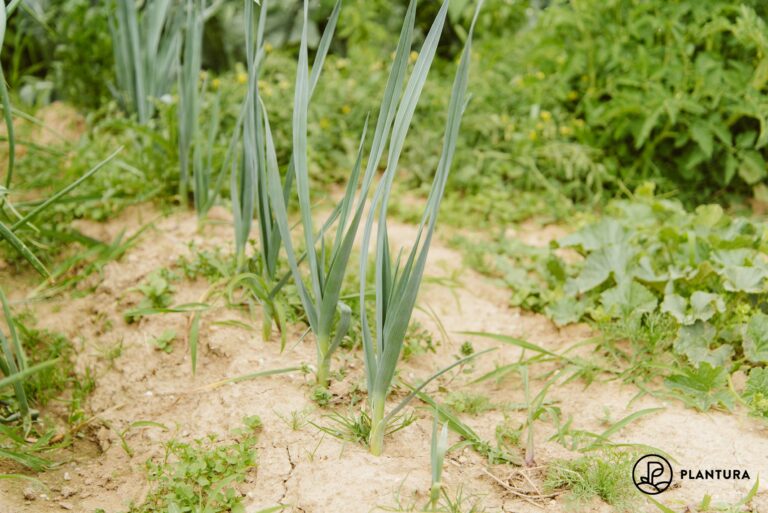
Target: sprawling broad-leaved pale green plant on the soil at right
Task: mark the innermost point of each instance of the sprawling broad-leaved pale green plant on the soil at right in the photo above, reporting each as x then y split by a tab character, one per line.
652	272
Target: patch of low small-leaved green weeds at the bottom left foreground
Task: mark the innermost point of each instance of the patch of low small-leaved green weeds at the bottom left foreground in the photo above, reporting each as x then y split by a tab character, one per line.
201	476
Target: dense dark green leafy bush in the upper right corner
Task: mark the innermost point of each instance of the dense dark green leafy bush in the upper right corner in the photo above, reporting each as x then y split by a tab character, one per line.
670	91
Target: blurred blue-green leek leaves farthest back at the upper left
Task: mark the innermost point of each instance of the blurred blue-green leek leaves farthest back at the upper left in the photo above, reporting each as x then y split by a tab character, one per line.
146	46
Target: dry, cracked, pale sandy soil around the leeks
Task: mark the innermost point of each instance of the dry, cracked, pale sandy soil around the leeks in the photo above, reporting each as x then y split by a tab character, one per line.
316	473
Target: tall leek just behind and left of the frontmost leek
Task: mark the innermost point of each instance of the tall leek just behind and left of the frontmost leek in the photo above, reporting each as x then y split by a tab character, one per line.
328	261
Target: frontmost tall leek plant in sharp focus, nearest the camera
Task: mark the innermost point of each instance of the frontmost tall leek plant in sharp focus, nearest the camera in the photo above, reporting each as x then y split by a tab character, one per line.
397	282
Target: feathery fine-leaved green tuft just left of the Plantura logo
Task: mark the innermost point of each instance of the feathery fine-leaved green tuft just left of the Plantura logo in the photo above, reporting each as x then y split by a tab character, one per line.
604	475
